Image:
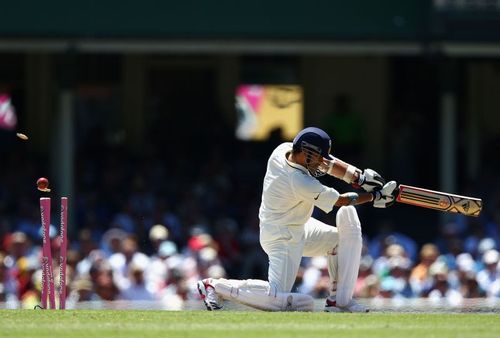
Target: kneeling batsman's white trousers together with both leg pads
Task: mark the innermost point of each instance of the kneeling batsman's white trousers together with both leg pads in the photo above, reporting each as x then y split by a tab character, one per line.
285	246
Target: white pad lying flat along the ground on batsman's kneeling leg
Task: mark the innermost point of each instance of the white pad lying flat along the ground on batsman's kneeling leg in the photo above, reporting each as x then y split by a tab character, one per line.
260	295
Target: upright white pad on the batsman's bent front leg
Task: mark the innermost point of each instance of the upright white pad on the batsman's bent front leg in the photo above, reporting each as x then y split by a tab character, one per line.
349	253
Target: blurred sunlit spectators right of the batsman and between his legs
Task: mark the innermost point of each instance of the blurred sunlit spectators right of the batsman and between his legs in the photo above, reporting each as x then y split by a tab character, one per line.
394	266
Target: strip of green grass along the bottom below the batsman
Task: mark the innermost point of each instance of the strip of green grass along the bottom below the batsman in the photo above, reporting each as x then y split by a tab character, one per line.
225	324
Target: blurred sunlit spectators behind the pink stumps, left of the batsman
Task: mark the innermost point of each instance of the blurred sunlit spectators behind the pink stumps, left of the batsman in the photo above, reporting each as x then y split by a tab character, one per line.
114	269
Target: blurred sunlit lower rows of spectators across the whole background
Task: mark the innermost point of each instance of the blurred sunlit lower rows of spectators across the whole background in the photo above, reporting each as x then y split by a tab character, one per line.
392	266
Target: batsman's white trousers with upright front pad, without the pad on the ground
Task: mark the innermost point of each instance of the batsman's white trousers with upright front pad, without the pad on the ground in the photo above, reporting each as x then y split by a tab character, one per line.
286	245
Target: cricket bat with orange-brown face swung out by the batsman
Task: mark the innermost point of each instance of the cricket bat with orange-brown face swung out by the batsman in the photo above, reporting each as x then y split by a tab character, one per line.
438	200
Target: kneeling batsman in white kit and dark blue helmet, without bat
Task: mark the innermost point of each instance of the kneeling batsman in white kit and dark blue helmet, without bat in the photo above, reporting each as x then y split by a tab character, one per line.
288	232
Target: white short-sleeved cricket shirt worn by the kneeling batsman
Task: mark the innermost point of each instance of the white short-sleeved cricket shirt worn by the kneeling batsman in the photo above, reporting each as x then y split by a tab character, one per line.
290	192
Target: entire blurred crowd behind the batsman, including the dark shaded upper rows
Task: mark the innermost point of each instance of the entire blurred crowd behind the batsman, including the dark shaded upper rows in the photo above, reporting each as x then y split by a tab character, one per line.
148	228
